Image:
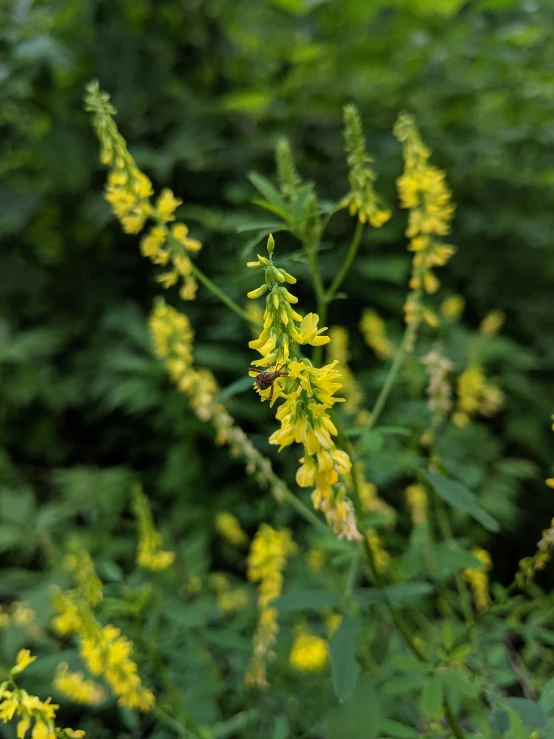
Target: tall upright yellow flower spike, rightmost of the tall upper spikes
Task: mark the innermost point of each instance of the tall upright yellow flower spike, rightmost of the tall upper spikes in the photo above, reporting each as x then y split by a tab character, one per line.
424	192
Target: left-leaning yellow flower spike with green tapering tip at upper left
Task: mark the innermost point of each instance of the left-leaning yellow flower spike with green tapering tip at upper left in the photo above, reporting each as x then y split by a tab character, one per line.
129	192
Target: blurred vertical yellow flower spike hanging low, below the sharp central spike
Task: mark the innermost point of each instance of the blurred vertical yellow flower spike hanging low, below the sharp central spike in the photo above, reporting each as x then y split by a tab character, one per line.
267	558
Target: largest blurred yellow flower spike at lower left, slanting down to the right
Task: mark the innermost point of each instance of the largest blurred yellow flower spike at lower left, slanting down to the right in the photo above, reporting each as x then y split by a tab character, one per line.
104	650
